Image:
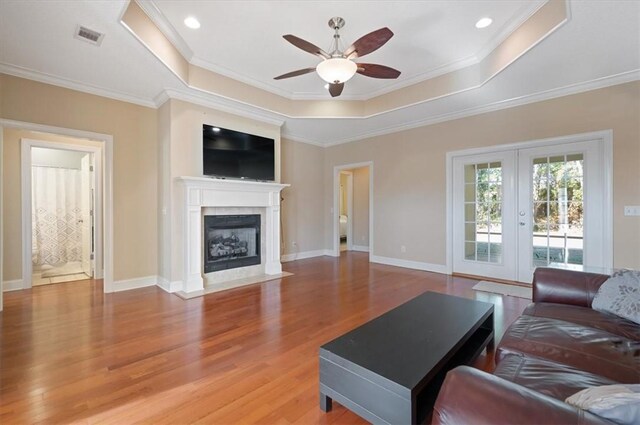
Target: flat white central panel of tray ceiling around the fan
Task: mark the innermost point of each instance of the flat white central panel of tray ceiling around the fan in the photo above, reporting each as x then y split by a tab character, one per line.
429	37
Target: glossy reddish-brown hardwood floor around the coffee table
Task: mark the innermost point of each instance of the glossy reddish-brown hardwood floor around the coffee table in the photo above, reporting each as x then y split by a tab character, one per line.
250	355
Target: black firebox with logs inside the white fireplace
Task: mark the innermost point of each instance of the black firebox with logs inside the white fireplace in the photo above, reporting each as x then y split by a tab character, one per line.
231	241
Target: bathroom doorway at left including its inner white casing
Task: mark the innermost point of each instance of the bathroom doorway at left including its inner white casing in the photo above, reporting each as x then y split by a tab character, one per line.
61	211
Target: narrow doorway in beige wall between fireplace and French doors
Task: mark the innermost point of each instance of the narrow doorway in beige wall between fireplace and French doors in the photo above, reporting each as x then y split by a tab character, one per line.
352	211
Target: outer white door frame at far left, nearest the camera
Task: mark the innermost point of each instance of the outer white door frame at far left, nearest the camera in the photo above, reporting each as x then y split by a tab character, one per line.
106	141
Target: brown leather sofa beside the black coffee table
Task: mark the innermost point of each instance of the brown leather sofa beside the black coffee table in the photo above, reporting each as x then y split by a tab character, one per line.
559	346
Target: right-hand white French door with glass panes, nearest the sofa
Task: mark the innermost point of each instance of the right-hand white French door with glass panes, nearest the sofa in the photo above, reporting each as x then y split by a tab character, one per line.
561	207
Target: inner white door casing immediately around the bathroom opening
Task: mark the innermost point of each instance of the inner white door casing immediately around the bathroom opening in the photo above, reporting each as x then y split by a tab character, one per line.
26	188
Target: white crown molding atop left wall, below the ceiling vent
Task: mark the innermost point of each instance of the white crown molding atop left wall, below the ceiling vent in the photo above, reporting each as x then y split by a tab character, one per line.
68	83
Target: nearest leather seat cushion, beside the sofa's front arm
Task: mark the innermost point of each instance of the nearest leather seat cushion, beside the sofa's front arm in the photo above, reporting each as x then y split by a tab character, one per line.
550	378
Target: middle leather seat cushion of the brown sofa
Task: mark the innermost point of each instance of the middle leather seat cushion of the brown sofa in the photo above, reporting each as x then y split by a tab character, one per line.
584	348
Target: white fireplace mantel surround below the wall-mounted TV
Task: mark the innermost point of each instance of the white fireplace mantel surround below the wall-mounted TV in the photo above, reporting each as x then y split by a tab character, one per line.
203	192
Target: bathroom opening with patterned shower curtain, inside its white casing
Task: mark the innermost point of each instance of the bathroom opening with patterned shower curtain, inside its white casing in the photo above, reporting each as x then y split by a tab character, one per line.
62	211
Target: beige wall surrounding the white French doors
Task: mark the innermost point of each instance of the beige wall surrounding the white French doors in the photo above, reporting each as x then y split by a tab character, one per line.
409	167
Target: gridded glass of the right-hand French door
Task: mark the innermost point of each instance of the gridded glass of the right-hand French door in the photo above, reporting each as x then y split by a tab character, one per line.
557	210
